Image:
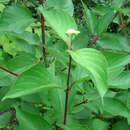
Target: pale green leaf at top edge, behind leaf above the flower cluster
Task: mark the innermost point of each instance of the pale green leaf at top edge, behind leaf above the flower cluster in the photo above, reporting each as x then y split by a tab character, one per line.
66	5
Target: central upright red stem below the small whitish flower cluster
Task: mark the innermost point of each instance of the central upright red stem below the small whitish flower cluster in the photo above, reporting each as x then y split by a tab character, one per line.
67	92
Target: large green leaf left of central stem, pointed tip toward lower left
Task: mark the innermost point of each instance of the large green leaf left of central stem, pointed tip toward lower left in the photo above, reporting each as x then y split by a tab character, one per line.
31	81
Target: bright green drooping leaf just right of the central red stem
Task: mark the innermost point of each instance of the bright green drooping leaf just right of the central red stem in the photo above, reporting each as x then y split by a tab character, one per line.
95	63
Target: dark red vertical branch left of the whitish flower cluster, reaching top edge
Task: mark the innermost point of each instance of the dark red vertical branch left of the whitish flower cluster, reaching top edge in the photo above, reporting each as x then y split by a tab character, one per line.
43	33
